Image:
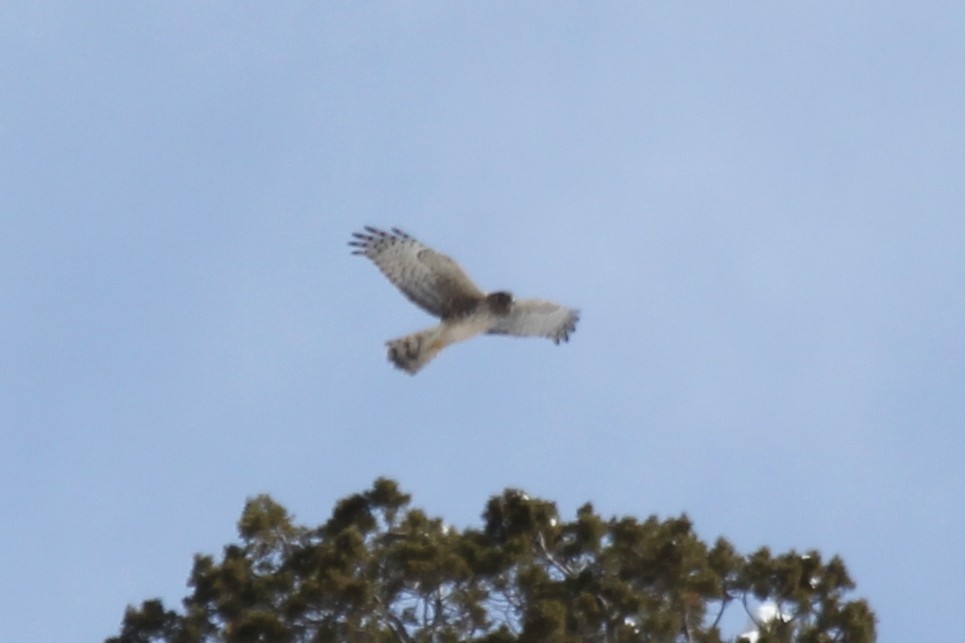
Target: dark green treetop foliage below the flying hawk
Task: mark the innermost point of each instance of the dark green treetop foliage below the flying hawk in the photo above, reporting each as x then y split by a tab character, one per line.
379	570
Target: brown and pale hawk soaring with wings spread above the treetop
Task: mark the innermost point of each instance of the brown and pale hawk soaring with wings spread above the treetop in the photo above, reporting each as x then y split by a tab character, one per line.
437	284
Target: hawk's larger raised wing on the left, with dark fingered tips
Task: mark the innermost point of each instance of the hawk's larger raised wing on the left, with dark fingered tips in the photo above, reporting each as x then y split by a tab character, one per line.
431	280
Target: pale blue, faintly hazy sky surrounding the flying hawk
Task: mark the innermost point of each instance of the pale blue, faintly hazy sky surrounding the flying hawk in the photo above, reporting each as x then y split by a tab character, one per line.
758	208
